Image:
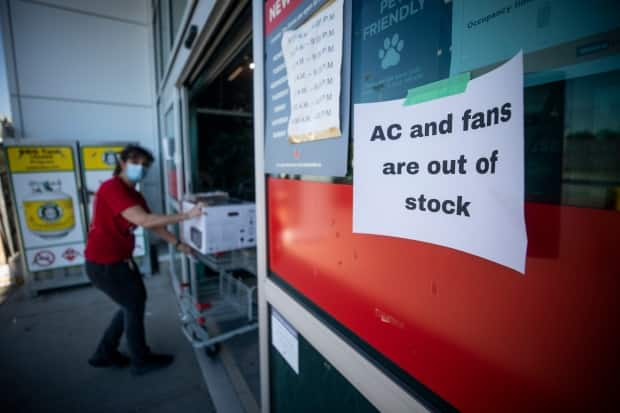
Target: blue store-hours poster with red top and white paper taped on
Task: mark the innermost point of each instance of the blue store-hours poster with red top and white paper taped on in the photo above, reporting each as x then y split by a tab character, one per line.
307	87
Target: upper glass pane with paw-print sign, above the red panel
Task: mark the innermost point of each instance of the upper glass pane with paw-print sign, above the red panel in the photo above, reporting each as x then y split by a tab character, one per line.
572	93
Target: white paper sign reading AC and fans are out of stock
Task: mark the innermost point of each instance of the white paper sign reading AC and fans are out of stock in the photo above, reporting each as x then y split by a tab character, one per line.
448	171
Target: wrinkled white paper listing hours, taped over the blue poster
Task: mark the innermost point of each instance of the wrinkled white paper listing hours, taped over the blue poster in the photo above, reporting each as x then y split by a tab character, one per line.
313	57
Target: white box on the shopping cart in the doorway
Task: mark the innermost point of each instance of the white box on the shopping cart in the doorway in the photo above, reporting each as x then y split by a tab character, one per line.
222	227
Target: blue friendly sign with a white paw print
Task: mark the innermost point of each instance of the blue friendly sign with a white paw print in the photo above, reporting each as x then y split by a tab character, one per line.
398	45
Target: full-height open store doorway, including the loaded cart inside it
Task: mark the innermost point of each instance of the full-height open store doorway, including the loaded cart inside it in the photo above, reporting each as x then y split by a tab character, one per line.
222	284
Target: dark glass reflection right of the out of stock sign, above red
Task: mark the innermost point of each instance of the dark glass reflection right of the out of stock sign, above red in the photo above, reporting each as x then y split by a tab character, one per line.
572	142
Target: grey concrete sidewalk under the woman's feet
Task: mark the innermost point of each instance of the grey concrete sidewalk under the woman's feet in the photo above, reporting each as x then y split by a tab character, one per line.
45	343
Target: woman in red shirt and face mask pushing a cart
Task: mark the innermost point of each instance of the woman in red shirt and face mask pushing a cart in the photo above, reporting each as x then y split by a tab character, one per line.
118	210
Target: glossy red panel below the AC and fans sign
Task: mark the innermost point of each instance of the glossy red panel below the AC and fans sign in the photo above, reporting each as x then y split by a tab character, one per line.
483	337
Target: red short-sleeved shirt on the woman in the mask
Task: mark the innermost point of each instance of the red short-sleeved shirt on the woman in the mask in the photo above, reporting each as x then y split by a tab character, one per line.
110	236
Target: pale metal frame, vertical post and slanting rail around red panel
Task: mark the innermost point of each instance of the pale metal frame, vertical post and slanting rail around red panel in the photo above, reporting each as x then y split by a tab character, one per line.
368	379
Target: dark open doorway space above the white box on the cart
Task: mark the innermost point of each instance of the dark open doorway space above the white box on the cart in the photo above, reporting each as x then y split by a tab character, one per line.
221	129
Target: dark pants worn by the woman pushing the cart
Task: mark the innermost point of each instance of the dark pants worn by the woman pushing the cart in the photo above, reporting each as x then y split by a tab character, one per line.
122	282
